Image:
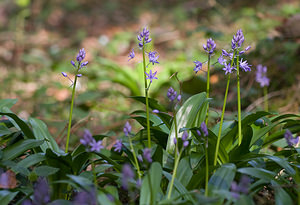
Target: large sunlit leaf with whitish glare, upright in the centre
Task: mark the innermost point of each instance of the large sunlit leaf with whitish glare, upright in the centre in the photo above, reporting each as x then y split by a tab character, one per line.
187	117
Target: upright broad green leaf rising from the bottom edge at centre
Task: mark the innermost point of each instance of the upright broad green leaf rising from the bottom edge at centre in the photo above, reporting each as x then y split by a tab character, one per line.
151	185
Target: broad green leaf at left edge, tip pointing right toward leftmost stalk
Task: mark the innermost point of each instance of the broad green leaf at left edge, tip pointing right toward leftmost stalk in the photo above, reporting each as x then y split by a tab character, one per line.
19	148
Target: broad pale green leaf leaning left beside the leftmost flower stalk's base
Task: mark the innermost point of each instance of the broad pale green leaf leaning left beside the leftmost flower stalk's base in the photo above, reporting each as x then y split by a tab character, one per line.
41	132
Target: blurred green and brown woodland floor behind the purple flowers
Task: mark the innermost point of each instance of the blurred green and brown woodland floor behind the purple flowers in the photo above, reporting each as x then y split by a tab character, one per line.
38	39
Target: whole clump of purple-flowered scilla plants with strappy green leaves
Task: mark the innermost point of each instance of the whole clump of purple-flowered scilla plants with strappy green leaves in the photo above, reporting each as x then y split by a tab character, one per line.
174	158
